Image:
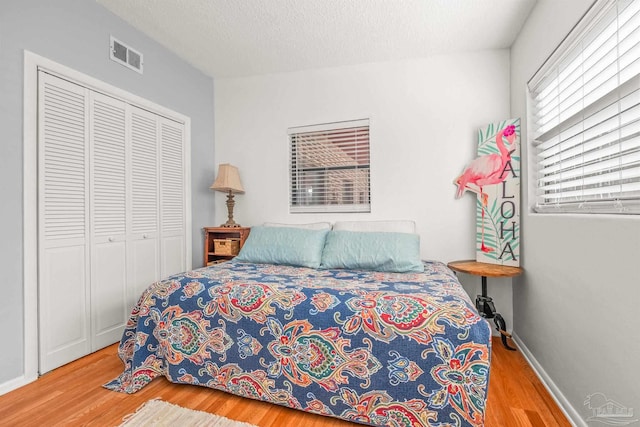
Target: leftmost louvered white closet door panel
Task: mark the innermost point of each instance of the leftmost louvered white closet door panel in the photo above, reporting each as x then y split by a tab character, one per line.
63	222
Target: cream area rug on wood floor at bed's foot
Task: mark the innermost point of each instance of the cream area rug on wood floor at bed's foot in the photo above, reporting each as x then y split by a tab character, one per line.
158	413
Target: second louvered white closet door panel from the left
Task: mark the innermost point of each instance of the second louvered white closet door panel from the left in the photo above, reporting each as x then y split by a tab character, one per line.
108	194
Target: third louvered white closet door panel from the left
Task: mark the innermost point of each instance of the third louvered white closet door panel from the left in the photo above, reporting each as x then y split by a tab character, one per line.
144	246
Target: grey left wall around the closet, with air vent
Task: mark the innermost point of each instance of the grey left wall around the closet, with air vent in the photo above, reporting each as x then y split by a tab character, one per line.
76	34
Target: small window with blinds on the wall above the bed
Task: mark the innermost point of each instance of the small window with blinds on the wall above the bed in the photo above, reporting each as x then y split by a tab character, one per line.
330	167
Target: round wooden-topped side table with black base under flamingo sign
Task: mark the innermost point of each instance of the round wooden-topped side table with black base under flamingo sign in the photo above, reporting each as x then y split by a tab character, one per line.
484	303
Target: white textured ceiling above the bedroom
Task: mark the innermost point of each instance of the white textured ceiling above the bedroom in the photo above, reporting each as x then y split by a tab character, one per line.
228	38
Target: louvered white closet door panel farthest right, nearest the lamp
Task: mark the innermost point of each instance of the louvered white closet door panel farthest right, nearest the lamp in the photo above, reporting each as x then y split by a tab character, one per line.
172	197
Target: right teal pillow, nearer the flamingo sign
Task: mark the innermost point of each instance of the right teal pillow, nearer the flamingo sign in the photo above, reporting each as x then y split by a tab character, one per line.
389	252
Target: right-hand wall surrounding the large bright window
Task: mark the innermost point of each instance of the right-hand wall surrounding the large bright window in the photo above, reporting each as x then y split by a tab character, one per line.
576	306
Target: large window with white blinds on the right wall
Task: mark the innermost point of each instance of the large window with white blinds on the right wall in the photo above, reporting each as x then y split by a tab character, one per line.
585	116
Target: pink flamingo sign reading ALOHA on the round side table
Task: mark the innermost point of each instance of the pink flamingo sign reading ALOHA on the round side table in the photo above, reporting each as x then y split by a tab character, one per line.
495	178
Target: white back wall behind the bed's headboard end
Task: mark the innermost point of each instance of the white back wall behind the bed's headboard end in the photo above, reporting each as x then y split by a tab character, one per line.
424	117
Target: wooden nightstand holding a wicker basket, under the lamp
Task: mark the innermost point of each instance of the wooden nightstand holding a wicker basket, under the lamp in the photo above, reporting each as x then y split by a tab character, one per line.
222	243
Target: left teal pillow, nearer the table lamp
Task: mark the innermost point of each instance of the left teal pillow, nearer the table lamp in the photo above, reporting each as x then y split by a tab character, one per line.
283	245
